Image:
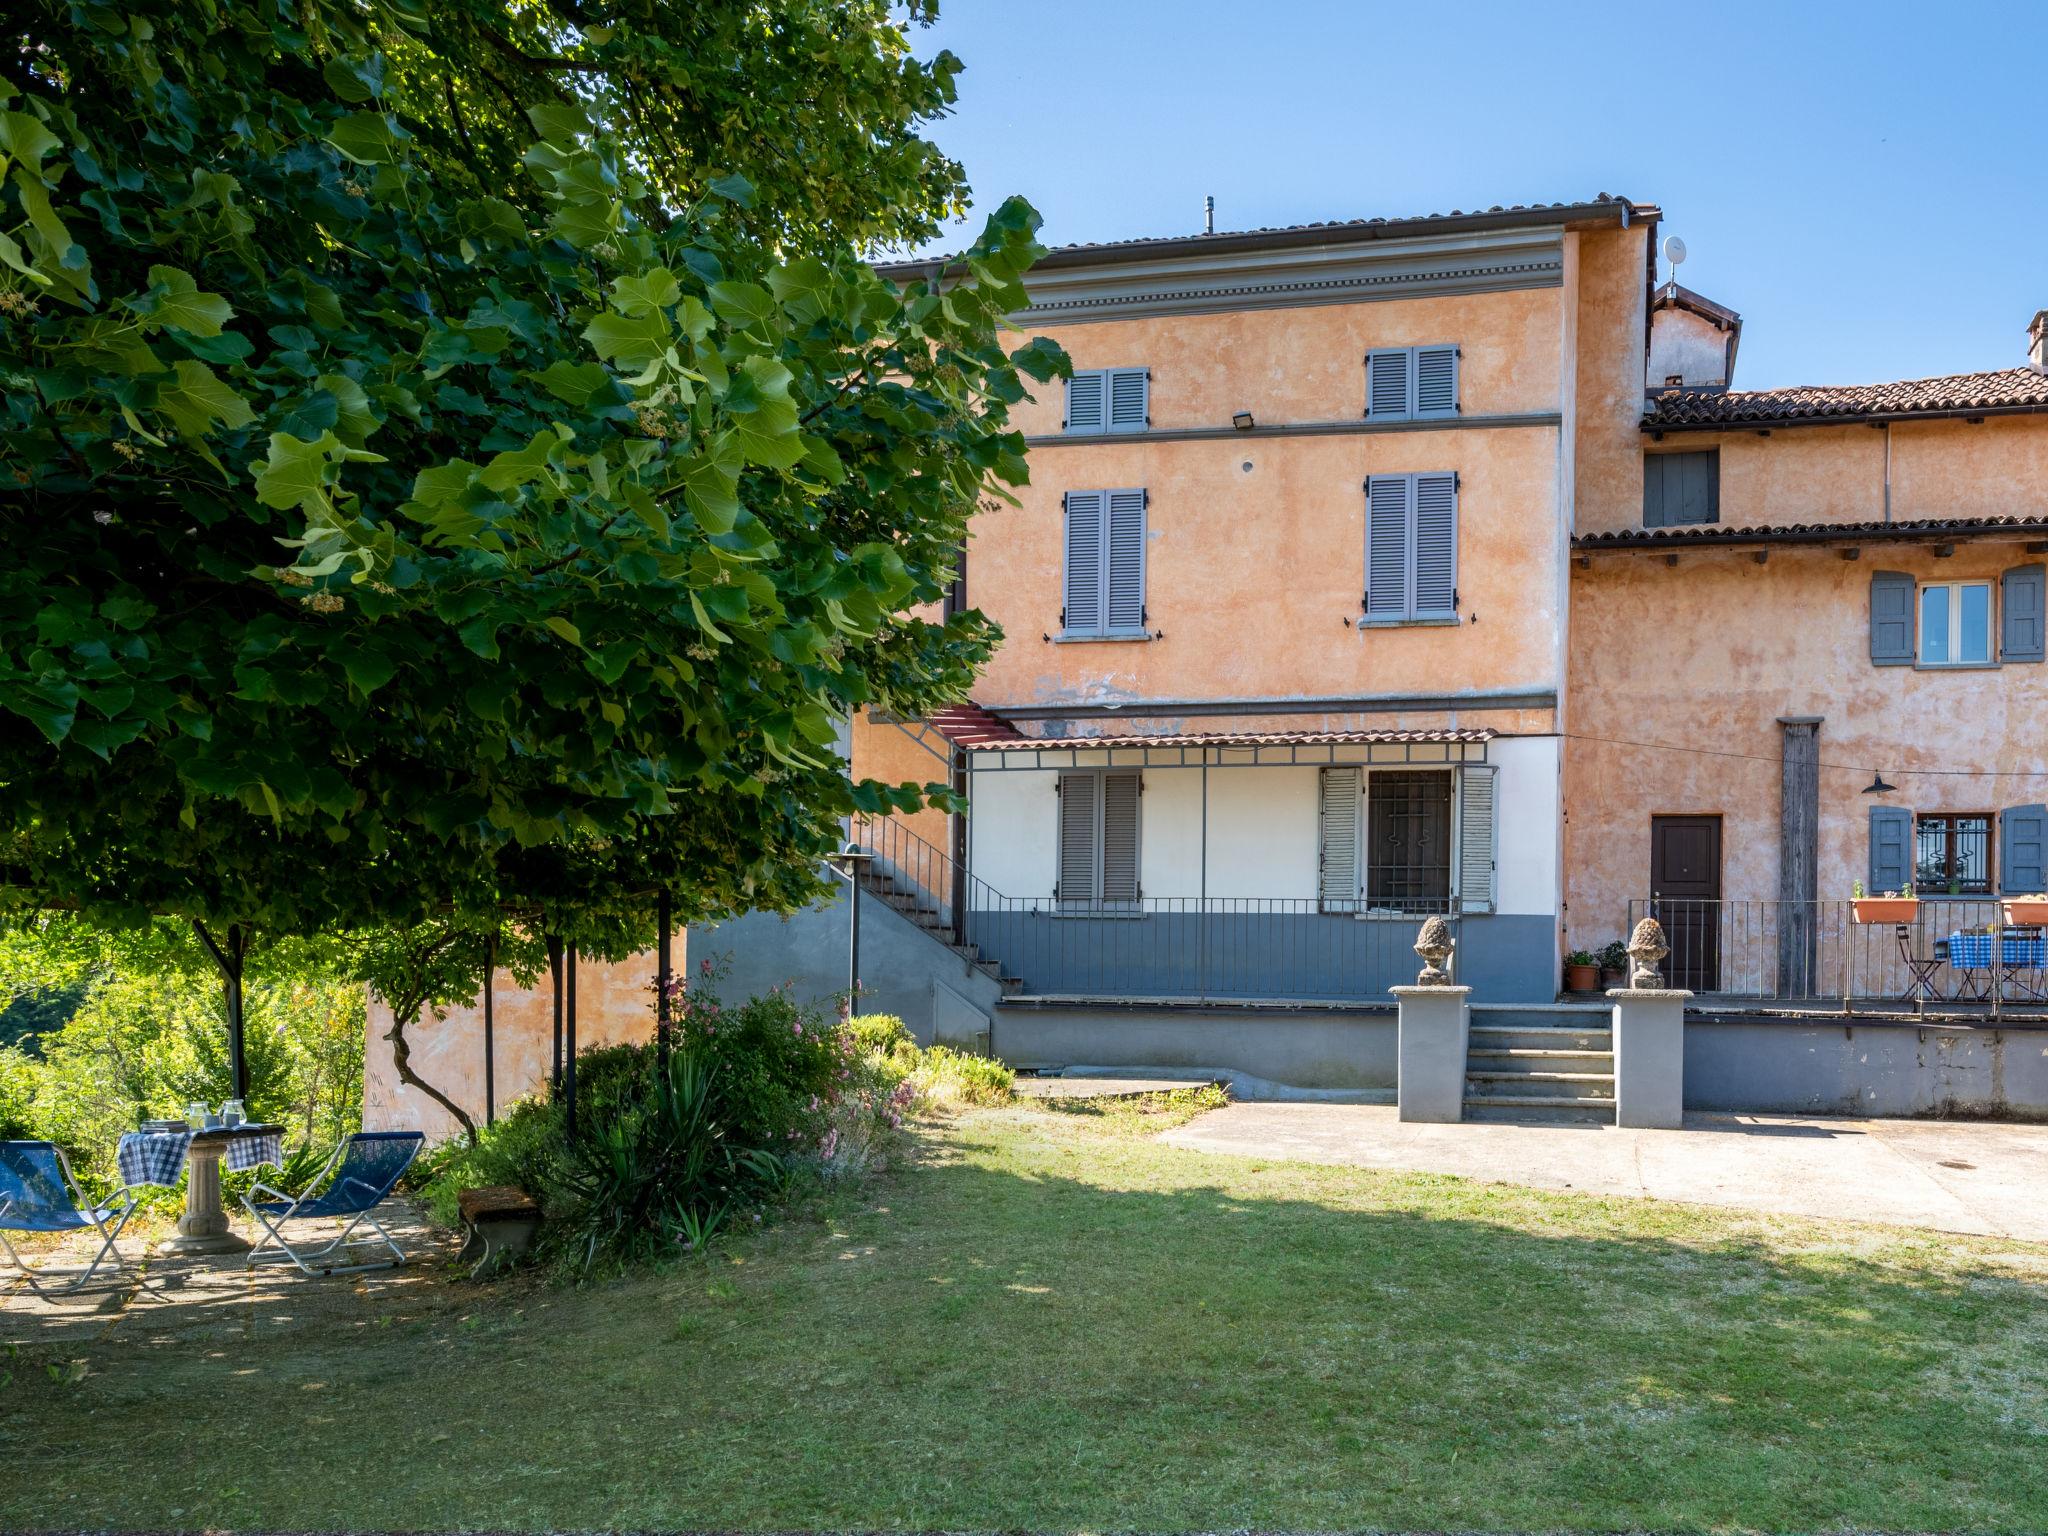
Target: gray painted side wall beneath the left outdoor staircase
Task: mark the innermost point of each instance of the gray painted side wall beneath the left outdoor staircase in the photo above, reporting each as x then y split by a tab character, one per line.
904	970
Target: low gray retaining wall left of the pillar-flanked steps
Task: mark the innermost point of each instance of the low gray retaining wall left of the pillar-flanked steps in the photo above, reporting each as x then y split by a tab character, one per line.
1328	1048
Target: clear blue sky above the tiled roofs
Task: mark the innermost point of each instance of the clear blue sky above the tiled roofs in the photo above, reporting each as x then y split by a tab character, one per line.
1867	185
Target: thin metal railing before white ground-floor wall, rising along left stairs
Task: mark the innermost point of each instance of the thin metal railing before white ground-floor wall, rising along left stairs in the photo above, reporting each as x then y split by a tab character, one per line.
1228	949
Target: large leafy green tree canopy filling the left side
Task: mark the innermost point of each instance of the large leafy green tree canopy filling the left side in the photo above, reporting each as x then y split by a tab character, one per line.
458	466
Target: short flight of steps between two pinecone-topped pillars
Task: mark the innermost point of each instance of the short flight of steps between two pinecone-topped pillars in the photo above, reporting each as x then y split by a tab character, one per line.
1543	1064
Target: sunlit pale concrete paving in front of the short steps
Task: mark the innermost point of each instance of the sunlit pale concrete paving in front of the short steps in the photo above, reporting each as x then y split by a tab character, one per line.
1957	1177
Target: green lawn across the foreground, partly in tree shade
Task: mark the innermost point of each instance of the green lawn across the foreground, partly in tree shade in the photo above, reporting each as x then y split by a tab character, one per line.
1048	1320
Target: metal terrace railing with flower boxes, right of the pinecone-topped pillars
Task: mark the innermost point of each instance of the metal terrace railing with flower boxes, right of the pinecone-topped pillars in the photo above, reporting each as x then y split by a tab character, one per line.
1957	953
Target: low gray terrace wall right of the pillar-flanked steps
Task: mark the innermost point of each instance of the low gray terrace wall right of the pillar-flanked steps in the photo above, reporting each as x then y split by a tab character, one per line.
1869	1070
